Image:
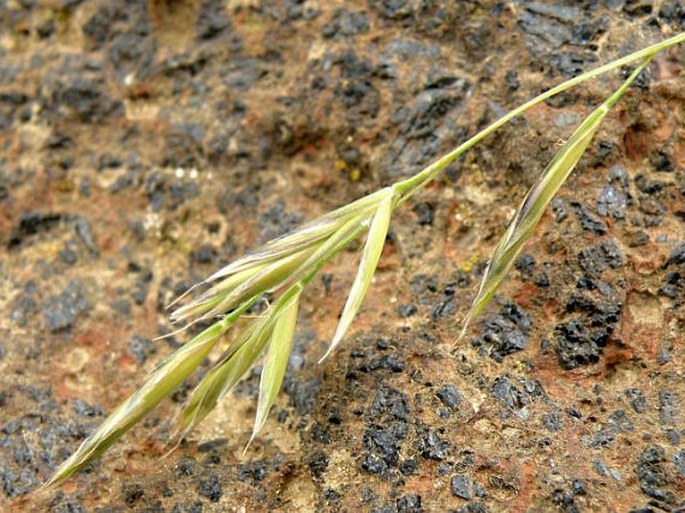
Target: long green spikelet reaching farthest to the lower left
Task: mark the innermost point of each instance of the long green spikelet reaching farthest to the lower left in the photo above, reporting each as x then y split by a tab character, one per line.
176	368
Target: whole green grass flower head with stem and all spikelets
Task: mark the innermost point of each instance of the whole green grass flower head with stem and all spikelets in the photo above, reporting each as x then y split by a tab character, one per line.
285	266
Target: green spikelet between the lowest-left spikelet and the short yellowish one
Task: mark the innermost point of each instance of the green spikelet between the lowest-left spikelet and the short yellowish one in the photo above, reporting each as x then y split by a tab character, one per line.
234	363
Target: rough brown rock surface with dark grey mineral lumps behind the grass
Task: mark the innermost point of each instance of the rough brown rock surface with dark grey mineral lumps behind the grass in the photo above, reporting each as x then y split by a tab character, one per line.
143	144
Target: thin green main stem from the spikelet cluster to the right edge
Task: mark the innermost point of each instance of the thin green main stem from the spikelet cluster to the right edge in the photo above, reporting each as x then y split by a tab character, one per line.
407	188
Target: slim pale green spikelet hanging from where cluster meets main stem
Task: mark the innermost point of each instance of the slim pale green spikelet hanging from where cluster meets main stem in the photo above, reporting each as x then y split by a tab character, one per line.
367	266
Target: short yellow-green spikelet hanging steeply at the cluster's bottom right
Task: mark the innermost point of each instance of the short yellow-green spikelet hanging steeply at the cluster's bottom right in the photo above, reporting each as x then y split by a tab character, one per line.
280	345
